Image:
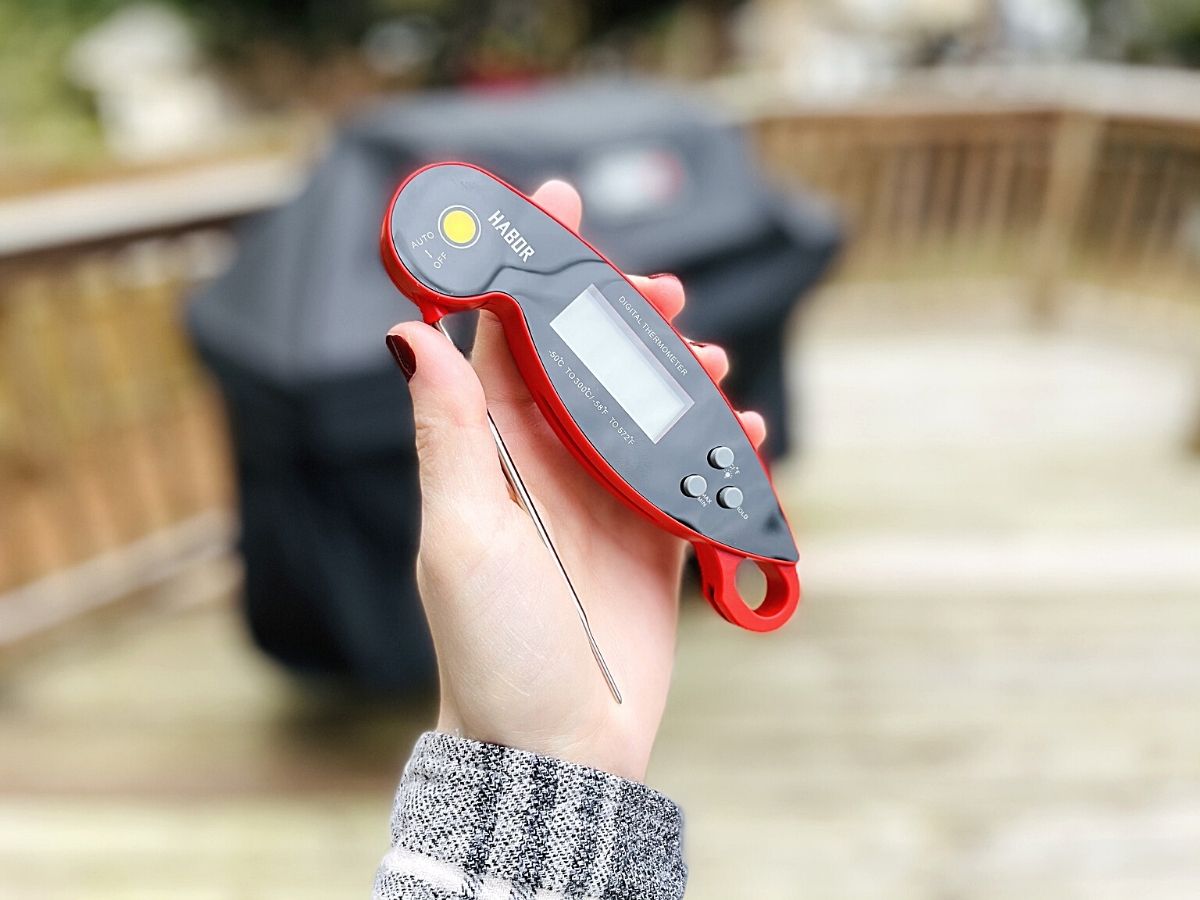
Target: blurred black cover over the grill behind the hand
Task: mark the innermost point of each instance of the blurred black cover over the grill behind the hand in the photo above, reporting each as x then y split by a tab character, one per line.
321	421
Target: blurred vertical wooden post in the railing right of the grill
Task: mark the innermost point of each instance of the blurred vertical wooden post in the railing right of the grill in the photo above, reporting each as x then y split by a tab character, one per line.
1073	151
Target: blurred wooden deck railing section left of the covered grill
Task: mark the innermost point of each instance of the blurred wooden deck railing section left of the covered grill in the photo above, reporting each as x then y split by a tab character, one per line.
113	458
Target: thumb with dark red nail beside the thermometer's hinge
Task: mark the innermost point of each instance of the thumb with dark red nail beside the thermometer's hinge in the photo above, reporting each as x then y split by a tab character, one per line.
454	445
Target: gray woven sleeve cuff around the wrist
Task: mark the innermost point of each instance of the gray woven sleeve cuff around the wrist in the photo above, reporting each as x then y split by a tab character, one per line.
490	823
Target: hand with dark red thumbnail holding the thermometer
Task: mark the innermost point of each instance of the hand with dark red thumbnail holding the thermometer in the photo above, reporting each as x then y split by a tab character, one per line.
513	659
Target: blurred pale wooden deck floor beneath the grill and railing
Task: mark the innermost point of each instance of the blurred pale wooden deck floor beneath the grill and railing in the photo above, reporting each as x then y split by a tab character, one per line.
993	689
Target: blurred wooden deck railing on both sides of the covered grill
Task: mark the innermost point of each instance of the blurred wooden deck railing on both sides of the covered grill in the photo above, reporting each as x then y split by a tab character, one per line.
111	436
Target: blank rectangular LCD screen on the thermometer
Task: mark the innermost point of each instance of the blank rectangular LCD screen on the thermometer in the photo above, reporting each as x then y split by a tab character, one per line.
623	365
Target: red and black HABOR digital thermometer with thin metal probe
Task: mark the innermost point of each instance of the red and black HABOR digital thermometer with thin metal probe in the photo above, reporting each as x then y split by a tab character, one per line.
619	386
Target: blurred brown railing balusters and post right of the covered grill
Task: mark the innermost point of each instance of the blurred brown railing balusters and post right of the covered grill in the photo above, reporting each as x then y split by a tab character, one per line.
1037	195
